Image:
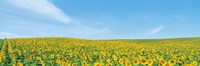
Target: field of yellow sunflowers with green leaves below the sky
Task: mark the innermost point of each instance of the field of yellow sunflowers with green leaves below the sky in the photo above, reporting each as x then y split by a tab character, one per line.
82	52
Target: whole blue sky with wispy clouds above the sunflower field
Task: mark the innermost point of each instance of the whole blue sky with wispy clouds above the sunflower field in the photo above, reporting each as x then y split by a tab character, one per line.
100	19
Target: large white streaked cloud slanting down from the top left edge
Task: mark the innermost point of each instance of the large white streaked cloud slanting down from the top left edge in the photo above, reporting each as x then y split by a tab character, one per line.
43	7
